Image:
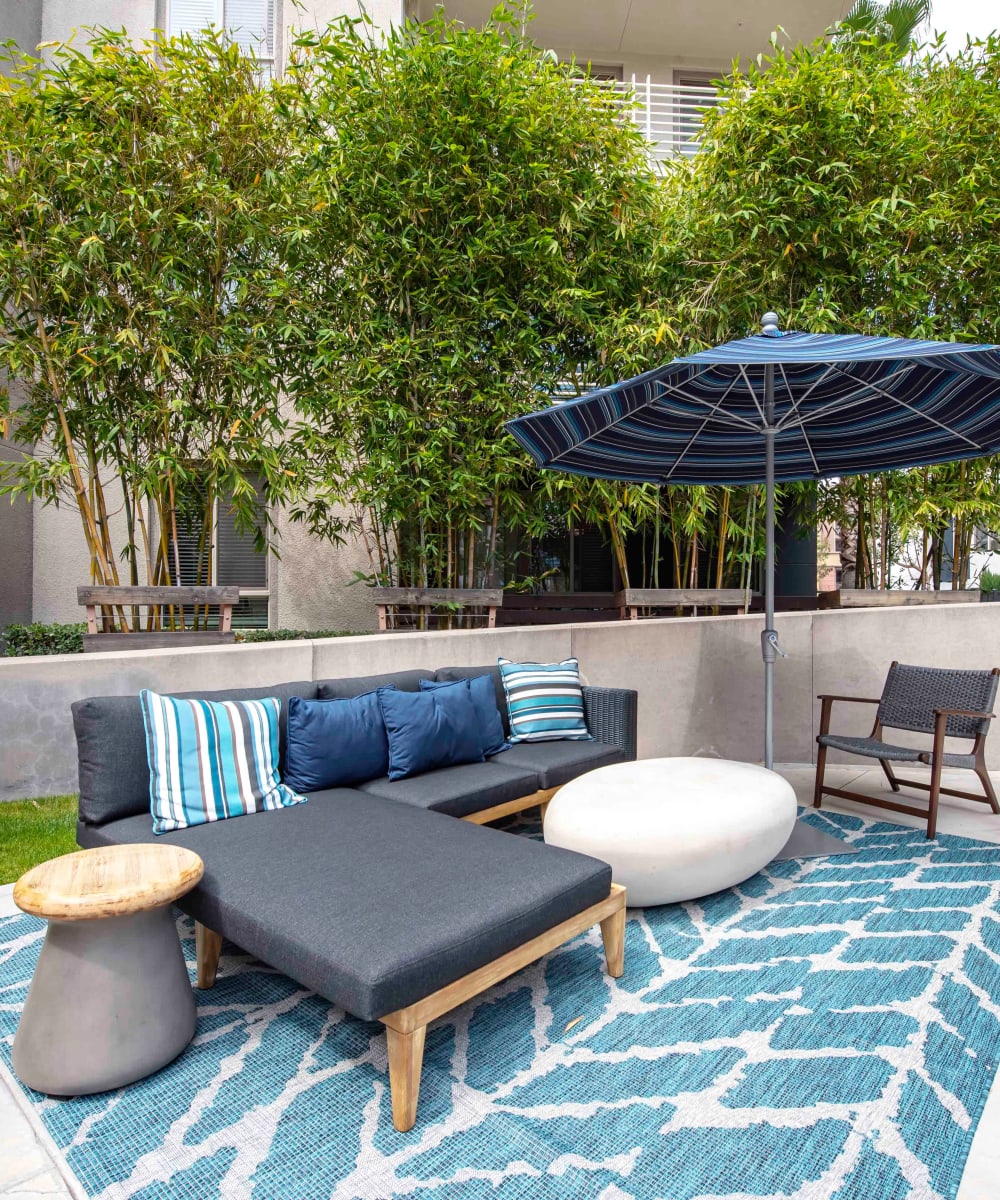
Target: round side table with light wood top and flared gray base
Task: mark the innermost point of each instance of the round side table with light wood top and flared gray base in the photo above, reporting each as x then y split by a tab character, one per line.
111	1000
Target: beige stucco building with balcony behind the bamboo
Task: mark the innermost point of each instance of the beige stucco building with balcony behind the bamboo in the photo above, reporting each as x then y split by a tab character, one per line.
661	55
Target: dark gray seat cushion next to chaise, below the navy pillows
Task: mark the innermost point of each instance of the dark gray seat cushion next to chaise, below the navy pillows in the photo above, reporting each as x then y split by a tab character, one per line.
462	790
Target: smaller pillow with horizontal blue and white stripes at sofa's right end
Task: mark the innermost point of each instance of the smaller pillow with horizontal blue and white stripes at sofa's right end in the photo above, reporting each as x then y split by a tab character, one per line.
546	701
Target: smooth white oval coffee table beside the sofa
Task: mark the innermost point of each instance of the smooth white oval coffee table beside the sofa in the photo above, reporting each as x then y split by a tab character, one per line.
675	829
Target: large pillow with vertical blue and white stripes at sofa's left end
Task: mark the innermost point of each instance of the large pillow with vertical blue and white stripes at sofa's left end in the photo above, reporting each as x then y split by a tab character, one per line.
211	760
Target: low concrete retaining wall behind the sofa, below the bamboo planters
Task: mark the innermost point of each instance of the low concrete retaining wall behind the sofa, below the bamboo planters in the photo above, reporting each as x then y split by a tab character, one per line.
700	680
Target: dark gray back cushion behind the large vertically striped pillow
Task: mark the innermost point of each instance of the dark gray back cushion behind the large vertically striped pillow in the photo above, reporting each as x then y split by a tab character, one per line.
112	751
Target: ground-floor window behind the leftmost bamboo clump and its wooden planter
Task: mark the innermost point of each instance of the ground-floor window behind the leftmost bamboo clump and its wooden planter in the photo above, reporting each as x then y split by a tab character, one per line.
235	560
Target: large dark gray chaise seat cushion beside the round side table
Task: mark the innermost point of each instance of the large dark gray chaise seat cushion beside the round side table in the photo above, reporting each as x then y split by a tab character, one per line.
370	903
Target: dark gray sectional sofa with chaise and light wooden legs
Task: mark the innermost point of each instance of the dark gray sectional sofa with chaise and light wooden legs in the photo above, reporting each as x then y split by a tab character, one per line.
376	897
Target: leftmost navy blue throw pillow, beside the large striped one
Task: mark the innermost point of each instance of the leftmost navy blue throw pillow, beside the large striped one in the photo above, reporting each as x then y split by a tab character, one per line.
336	743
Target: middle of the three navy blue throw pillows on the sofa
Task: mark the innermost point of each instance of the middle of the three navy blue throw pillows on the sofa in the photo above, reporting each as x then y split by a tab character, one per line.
429	729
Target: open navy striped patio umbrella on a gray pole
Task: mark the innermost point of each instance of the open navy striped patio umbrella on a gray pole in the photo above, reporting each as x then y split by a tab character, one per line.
779	407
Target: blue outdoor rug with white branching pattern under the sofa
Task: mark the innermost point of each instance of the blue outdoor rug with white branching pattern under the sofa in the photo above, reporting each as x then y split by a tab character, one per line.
828	1031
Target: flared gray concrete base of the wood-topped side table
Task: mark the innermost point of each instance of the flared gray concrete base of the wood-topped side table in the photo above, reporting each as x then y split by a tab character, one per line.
111	1001
